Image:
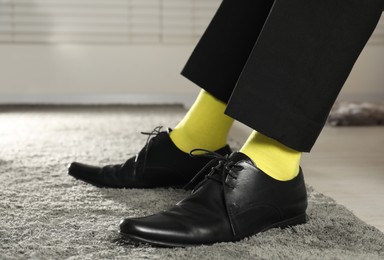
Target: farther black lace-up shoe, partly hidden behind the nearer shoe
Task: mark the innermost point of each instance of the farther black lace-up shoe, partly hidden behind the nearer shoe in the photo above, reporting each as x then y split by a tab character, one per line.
159	164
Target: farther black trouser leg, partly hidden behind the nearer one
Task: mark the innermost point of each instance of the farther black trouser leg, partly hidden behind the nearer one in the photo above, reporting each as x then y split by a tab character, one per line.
220	55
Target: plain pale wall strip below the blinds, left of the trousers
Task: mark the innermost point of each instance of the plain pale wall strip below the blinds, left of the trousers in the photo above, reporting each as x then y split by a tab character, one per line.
93	74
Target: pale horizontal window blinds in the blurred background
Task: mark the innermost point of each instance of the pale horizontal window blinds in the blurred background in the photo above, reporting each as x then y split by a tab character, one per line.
104	21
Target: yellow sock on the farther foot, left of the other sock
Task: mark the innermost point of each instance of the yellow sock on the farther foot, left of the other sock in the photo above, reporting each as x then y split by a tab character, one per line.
204	126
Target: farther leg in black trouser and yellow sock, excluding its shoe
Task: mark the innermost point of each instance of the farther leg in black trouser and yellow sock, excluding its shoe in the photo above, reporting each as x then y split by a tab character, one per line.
215	66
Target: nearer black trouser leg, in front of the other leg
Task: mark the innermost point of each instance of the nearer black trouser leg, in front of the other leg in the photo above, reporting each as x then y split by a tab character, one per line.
298	66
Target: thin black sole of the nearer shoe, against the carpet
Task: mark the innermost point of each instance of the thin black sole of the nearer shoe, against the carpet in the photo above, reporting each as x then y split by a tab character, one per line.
298	220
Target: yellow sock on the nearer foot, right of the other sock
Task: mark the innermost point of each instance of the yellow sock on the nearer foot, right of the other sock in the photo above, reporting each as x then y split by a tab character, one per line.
275	159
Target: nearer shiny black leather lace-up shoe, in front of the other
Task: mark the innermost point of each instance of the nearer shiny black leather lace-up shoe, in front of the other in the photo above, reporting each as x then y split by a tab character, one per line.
236	200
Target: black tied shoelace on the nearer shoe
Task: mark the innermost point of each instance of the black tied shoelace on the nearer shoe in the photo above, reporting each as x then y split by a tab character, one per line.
223	166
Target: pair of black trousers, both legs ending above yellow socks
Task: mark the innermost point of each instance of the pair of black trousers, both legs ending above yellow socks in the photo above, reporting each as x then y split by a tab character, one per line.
280	64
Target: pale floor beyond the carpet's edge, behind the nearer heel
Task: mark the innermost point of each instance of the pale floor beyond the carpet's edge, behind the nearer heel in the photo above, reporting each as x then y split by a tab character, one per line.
347	164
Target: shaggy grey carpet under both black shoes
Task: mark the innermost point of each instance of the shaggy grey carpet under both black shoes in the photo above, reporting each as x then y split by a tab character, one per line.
45	214
